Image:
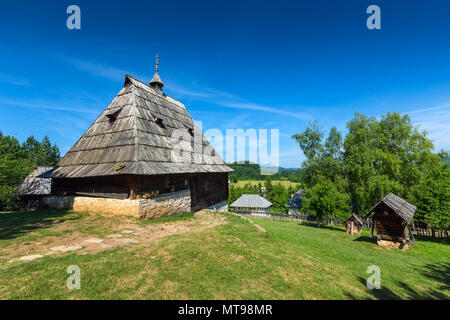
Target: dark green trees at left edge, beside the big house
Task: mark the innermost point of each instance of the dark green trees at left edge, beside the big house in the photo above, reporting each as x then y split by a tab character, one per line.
18	160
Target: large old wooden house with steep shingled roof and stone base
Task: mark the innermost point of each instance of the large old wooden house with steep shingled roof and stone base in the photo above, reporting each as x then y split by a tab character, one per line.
144	146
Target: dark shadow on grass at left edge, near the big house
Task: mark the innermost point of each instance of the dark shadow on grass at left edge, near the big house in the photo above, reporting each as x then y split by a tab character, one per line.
19	223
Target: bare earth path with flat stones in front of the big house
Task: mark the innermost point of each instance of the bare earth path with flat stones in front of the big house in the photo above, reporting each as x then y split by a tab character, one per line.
120	232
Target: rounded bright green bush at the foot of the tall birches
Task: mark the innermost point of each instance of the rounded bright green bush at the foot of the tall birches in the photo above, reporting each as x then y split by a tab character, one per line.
325	200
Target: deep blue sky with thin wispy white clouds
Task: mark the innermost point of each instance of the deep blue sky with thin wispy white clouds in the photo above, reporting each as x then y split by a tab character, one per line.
234	64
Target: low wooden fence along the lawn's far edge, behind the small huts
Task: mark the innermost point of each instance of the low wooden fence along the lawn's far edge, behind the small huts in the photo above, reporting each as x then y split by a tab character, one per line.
308	218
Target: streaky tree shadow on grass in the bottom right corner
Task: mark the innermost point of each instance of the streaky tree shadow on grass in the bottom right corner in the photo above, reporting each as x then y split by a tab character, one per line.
438	273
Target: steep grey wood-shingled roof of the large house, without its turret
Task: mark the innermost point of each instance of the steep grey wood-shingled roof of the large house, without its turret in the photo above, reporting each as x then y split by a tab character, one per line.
133	135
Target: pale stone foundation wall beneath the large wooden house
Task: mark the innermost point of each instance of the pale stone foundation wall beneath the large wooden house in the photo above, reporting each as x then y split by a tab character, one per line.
164	205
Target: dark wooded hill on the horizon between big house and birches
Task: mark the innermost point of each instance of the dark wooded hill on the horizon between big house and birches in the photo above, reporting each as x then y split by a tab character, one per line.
252	171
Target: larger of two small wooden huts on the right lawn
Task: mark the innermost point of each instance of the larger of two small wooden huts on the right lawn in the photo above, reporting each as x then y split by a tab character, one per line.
391	218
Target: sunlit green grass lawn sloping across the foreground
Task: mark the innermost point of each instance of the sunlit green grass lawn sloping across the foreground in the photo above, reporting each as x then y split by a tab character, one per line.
230	261
